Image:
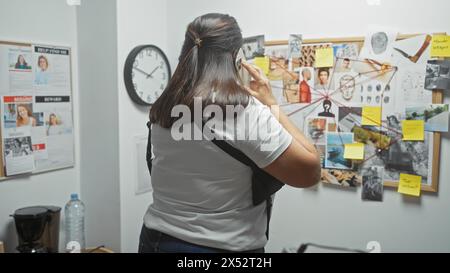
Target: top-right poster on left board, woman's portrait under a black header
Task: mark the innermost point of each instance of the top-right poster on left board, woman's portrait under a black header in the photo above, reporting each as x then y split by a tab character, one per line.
51	71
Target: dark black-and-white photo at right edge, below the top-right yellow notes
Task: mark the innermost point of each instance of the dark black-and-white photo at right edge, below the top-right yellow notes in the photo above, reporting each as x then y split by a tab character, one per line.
437	75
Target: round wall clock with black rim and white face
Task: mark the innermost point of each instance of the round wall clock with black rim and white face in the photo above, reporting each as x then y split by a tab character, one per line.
146	74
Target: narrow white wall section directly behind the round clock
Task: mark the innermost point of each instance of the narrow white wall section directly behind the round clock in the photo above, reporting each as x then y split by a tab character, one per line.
139	22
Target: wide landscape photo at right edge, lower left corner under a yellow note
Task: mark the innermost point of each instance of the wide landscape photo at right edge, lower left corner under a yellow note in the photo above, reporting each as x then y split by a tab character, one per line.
436	116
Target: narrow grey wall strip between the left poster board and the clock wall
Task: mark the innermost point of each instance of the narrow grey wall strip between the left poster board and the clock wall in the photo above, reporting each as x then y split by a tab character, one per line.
99	134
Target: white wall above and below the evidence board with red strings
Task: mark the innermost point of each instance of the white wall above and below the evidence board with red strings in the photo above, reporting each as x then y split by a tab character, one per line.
329	215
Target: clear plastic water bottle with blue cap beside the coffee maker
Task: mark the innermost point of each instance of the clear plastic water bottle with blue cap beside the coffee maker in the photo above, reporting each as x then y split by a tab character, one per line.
74	223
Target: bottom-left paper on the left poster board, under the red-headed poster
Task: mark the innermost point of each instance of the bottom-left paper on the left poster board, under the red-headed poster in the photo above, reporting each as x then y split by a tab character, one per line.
18	155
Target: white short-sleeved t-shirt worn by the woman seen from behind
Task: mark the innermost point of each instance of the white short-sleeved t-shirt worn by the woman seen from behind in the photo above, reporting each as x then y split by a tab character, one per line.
202	195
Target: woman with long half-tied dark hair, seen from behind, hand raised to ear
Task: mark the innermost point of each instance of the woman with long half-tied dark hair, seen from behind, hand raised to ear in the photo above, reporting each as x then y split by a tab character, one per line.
202	197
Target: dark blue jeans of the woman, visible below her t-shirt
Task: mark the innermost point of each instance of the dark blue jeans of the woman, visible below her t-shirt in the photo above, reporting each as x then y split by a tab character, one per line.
153	241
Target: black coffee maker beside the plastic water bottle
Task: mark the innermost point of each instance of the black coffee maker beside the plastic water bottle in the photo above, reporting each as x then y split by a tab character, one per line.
38	229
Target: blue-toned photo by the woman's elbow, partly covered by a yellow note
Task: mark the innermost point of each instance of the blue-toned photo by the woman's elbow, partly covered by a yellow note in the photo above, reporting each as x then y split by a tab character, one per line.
335	151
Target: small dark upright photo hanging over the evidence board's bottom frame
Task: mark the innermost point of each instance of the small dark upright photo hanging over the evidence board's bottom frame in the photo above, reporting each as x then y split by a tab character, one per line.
372	183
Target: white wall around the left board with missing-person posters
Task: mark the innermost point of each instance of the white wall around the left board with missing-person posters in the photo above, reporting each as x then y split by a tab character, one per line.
47	22
